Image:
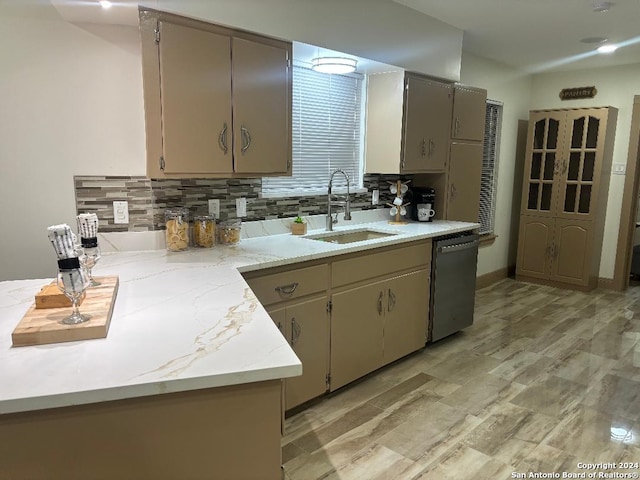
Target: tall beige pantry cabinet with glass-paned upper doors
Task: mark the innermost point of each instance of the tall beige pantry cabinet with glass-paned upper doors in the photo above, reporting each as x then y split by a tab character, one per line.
564	195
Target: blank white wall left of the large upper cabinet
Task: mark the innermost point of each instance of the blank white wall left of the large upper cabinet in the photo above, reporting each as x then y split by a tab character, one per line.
71	105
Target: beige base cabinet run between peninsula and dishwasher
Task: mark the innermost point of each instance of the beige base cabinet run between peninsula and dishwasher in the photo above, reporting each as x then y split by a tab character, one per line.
350	315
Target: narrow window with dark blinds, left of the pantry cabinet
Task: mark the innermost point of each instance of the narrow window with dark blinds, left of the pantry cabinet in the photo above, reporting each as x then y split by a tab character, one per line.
488	184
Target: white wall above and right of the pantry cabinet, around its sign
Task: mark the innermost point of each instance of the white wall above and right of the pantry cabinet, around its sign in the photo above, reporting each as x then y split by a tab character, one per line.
616	87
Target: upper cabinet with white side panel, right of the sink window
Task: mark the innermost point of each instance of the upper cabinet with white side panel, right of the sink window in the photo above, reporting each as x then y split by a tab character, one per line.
407	124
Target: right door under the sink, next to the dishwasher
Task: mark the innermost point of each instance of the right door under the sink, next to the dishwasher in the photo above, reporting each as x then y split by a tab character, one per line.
407	314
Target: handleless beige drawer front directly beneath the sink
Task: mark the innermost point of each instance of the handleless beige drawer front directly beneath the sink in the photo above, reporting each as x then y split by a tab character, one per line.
374	265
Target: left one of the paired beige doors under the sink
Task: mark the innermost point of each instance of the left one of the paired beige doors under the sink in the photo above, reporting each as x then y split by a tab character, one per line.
357	324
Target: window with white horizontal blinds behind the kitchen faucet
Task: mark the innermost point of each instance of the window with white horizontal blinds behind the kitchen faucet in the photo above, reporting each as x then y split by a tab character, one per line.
327	133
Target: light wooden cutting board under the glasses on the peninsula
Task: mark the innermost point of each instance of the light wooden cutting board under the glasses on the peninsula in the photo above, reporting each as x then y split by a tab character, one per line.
41	326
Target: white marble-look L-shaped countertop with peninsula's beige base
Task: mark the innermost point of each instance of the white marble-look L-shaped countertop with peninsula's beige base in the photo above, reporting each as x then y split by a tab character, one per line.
187	383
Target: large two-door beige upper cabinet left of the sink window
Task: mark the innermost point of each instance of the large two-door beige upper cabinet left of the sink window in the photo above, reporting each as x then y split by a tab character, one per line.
217	101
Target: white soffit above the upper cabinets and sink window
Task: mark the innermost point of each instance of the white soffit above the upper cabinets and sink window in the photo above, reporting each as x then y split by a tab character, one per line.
375	29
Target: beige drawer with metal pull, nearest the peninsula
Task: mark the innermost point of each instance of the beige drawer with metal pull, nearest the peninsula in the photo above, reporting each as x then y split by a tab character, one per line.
279	287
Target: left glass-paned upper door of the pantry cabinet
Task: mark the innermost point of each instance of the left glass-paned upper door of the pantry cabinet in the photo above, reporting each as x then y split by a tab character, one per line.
546	138
